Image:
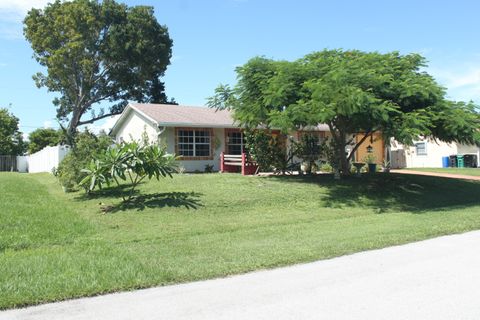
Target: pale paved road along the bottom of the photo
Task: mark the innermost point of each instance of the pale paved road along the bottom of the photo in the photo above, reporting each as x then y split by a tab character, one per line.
433	279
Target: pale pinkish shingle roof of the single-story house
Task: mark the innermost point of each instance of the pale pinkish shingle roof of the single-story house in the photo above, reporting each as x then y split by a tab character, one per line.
167	114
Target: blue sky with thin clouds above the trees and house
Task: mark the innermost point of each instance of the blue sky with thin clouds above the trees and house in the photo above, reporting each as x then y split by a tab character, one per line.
212	37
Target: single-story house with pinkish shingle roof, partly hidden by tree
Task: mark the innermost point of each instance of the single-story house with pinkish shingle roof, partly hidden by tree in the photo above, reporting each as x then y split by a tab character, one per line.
198	135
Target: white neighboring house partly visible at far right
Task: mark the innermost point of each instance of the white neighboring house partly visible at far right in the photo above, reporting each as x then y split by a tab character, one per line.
428	153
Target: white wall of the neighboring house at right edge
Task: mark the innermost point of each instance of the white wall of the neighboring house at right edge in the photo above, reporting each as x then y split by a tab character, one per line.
433	159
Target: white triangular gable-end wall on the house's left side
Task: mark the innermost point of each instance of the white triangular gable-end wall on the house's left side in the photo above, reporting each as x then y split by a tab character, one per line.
133	128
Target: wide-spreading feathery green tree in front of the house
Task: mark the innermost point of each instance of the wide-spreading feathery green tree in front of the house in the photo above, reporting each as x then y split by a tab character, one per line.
352	92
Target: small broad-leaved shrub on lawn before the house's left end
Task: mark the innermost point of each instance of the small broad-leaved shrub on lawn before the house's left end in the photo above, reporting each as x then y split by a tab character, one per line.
132	162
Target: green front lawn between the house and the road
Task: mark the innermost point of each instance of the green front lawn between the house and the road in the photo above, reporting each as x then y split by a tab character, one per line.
56	246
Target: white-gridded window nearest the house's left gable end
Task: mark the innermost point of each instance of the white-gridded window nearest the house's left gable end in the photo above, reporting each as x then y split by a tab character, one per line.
194	142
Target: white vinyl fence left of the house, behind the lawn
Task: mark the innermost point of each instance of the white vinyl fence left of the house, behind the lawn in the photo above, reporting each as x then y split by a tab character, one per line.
44	160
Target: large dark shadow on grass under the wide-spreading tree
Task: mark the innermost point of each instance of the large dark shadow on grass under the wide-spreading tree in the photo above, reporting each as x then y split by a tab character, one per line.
393	192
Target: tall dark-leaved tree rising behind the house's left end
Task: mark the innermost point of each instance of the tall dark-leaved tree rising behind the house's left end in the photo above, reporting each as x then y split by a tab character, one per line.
98	51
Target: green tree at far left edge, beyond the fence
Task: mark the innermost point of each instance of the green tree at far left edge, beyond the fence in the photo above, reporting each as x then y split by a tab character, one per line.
11	140
